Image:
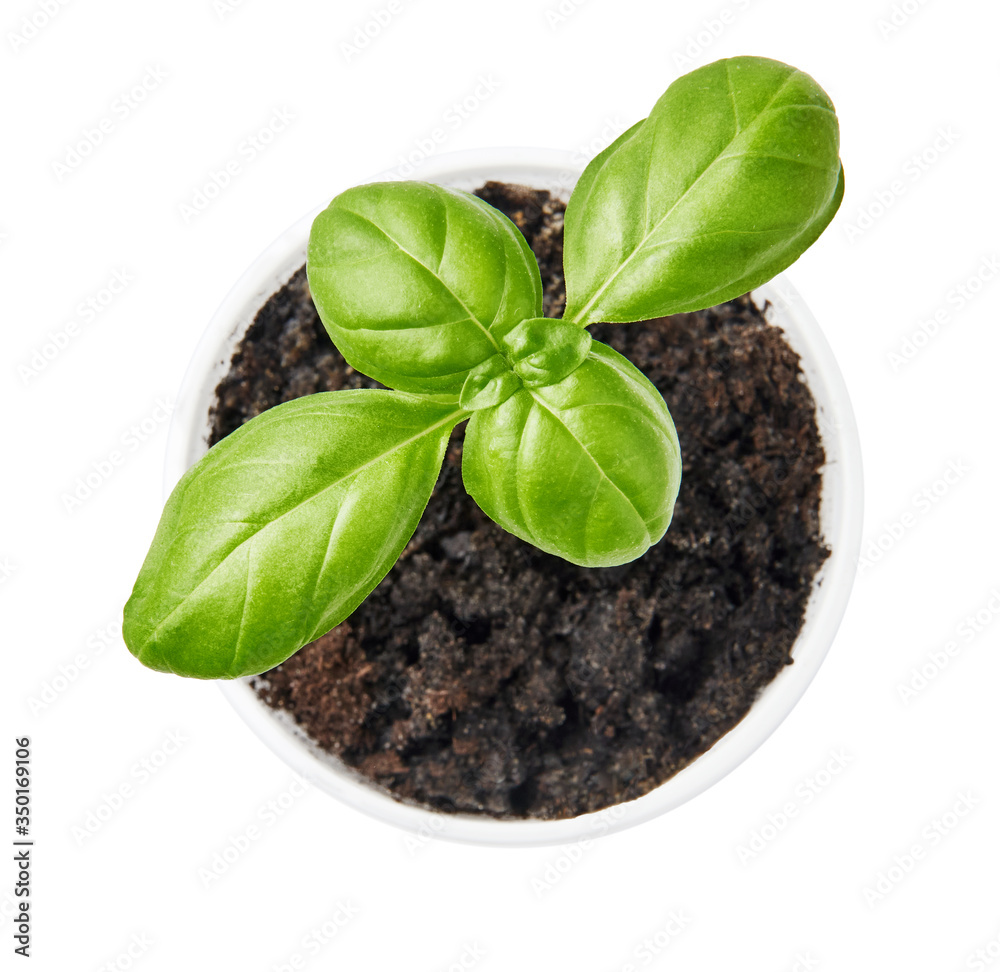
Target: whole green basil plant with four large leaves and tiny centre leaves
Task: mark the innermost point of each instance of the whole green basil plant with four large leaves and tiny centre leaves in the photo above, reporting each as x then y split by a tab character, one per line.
285	526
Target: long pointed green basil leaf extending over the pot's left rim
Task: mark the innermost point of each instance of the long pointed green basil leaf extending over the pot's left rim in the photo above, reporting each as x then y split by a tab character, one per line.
282	529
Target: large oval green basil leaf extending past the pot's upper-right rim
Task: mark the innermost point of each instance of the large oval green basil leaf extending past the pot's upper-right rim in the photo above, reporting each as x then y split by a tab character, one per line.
731	178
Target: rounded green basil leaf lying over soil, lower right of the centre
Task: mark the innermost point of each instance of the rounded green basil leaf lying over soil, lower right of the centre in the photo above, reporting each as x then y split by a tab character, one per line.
587	468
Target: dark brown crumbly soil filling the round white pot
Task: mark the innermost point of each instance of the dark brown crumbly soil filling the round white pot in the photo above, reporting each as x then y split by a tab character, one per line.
485	676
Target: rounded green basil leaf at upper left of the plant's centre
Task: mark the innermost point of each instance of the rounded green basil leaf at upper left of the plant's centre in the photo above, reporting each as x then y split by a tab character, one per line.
417	284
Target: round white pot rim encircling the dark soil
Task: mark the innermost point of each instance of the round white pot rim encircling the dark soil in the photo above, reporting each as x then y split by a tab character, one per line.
841	519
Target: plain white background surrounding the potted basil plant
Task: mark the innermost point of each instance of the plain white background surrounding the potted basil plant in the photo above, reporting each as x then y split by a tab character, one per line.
560	81
